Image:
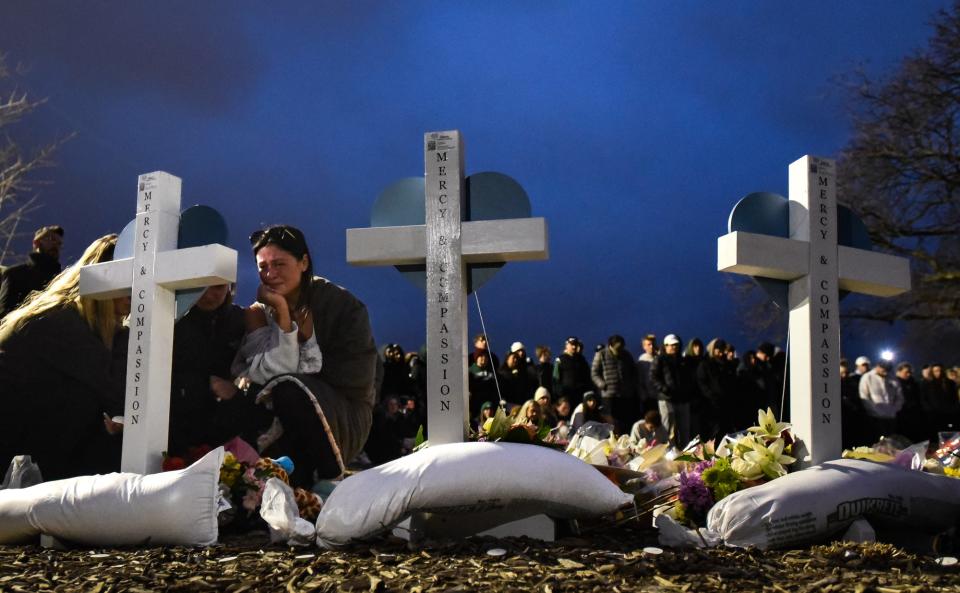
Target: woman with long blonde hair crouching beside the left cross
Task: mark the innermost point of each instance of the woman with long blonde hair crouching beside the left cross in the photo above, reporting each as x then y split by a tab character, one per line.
61	376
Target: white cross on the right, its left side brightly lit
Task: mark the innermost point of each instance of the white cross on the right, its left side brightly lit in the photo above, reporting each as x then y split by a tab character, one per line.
817	269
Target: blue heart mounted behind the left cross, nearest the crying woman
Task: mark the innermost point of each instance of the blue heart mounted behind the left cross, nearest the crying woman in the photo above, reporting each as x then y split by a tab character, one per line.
199	225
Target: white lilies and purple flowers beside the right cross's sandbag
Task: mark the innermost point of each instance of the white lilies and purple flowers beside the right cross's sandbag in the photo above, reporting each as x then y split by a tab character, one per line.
712	474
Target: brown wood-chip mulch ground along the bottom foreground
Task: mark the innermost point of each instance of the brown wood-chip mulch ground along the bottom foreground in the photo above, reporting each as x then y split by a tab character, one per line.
611	562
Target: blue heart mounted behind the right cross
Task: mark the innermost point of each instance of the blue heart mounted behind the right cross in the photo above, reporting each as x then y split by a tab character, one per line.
769	214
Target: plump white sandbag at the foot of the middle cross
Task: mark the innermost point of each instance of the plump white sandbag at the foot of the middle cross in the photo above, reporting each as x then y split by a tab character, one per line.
505	481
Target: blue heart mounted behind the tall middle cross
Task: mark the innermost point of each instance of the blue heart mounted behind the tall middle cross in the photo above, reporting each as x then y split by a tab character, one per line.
489	196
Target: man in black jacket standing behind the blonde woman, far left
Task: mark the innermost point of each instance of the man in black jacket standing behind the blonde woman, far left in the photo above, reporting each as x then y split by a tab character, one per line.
44	263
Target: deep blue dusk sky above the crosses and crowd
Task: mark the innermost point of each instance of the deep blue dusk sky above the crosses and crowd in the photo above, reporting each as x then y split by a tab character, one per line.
634	128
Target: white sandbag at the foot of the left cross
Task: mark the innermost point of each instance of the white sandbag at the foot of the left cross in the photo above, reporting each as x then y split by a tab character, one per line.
176	508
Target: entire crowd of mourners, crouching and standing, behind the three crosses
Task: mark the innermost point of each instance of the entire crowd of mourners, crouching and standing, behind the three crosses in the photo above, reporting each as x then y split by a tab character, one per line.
297	373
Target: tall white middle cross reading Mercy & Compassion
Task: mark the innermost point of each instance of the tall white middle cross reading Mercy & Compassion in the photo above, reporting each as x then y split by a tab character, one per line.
447	245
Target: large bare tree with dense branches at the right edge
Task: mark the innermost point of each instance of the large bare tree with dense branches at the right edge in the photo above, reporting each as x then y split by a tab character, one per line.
901	172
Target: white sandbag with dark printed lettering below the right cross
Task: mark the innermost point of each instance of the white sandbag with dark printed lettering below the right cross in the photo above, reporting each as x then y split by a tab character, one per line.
825	499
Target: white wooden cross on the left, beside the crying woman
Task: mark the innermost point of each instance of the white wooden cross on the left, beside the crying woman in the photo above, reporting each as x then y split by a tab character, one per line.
156	270
